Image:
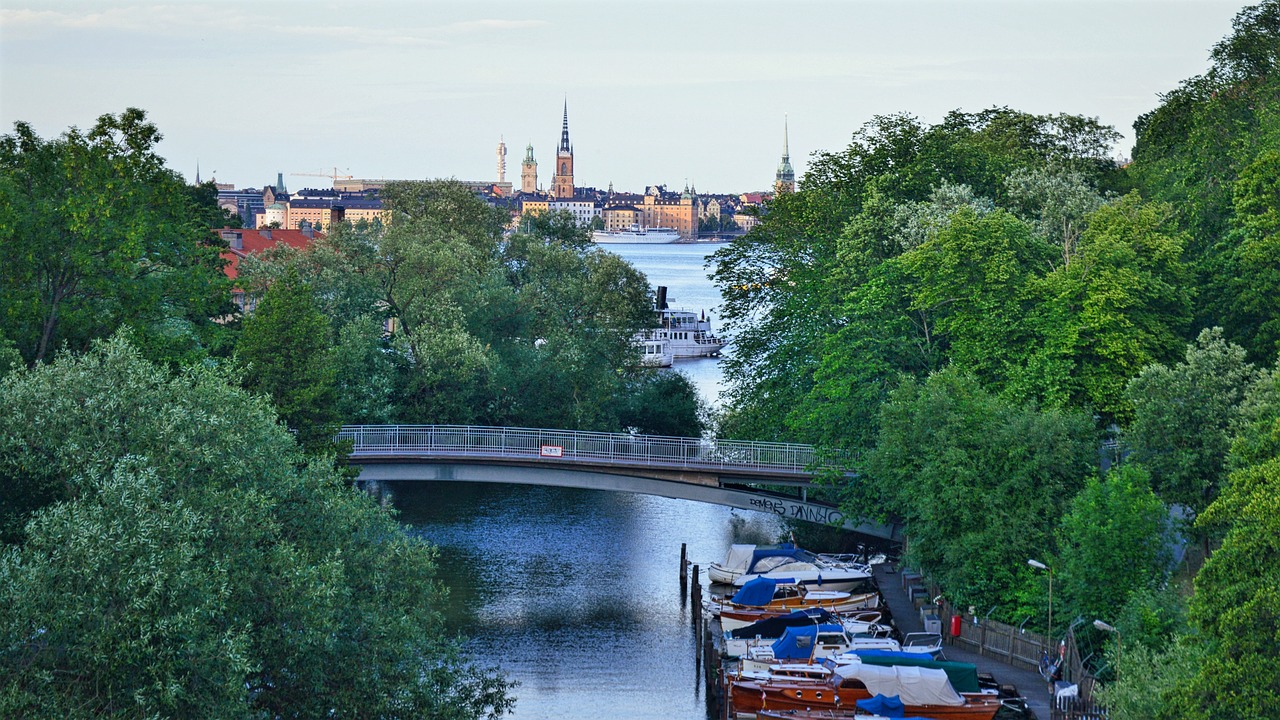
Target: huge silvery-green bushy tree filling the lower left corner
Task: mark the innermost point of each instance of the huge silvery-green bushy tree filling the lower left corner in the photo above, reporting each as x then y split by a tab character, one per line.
188	559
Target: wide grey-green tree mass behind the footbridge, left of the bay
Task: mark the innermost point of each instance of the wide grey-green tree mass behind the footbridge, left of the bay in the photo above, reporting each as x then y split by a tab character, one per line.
527	329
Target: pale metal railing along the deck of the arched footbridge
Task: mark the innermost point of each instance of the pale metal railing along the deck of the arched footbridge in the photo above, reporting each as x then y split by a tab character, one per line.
624	449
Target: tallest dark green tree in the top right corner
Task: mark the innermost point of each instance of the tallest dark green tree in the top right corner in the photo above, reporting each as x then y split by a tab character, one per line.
1195	151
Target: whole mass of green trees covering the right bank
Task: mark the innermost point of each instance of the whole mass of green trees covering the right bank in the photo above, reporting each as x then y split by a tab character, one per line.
989	307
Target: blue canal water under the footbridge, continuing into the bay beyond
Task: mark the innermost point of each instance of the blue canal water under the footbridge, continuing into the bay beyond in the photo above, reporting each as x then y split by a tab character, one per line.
577	594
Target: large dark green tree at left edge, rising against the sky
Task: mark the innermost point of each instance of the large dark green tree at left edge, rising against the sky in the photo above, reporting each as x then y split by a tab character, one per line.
109	238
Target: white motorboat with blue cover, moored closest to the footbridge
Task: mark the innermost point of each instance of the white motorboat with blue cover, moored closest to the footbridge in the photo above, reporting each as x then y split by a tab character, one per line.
748	562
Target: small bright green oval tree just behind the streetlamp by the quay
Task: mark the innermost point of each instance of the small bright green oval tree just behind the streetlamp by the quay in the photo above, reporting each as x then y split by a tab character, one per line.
1112	543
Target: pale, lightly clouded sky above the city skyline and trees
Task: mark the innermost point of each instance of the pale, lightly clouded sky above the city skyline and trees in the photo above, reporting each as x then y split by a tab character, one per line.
659	93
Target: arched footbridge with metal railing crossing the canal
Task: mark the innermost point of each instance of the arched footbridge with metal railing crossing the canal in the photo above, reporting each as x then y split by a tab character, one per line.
769	477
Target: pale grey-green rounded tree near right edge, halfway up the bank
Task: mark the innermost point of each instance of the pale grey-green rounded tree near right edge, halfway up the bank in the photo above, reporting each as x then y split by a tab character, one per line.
1185	420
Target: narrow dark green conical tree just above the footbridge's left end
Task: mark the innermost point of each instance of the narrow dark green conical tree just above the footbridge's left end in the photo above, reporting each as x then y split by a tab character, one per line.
285	347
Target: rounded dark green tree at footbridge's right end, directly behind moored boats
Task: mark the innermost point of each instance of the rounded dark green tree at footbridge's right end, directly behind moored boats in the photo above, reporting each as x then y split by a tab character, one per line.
979	481
